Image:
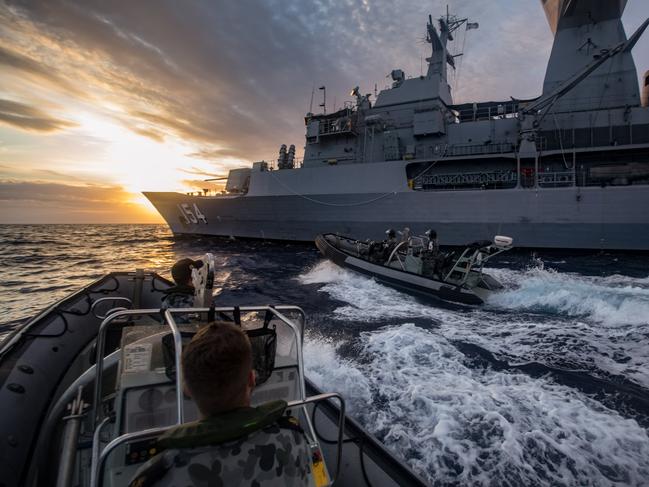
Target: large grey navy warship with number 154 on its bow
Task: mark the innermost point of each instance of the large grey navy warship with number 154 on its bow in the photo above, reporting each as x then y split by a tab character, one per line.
568	169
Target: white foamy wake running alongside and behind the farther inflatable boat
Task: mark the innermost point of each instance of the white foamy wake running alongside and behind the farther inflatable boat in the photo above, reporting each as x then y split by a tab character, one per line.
560	319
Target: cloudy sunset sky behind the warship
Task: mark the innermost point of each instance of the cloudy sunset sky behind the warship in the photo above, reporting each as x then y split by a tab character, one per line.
102	100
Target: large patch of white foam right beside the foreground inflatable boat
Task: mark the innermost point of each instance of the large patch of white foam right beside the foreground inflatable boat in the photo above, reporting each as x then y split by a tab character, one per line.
460	425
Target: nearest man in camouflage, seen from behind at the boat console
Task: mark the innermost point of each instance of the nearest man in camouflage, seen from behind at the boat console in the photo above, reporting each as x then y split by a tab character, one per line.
233	444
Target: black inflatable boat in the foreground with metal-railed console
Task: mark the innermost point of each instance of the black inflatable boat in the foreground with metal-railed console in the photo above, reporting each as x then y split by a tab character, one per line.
86	388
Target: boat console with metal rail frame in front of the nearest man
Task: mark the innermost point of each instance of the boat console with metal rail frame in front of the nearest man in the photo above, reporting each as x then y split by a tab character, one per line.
148	396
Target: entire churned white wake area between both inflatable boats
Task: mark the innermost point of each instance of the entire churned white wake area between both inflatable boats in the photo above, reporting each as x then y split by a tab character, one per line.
547	384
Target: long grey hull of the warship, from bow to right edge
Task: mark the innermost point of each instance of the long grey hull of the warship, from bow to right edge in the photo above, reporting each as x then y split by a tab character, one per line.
613	218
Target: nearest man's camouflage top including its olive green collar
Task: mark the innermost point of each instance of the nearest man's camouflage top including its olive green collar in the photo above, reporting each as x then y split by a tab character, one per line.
244	446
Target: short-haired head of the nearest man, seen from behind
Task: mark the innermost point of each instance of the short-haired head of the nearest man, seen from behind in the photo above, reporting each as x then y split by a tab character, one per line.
217	368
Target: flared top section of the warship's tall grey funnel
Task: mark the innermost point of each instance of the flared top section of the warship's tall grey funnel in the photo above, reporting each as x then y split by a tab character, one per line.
573	13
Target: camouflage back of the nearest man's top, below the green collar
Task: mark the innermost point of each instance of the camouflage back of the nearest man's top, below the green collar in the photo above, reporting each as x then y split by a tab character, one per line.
275	455
